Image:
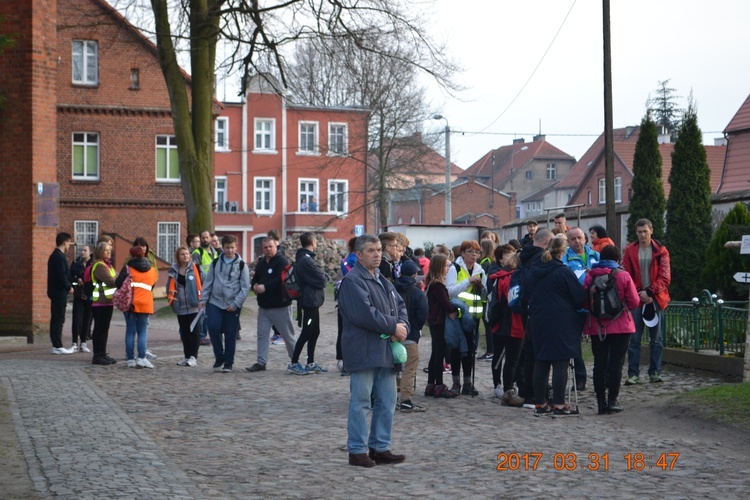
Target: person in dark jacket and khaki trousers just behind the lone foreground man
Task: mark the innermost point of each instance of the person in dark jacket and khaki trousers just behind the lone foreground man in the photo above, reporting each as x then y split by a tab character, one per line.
416	309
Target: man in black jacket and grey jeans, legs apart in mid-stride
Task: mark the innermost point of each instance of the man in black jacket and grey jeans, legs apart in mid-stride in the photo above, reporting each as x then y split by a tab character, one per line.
273	308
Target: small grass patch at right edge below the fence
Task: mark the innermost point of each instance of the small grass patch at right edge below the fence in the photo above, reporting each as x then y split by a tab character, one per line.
726	403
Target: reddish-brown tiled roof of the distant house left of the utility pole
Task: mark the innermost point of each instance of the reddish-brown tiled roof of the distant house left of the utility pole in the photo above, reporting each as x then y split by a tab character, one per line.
521	153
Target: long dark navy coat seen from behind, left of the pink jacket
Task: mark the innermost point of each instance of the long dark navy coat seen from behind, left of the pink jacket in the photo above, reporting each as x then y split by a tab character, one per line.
554	295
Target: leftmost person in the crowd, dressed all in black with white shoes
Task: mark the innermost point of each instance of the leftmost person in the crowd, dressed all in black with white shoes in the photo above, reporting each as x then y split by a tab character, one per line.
58	288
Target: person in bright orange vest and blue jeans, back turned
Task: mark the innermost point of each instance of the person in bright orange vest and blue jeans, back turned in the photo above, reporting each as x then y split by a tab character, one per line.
136	319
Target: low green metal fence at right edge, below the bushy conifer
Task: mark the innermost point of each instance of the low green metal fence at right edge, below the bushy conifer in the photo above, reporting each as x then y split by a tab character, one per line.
706	323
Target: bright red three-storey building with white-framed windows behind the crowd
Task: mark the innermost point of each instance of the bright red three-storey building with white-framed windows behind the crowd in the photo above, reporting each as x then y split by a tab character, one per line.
288	167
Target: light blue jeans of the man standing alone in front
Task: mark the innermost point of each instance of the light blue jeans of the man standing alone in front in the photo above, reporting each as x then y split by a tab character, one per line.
380	383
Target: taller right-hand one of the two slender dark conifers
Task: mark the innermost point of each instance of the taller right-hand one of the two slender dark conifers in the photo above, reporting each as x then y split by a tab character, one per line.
688	208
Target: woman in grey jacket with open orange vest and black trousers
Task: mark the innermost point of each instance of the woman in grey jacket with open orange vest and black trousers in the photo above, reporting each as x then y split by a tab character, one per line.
184	291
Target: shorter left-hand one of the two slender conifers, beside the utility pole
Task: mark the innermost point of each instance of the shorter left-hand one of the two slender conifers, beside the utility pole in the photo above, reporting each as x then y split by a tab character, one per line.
648	191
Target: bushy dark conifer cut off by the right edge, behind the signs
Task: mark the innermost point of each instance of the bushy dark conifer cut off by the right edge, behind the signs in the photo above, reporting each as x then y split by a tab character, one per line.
723	263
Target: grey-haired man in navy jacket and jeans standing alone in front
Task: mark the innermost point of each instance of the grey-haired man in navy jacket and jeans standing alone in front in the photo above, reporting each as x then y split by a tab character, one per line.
371	309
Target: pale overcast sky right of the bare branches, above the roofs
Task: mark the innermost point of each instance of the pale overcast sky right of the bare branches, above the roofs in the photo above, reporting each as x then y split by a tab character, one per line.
700	45
